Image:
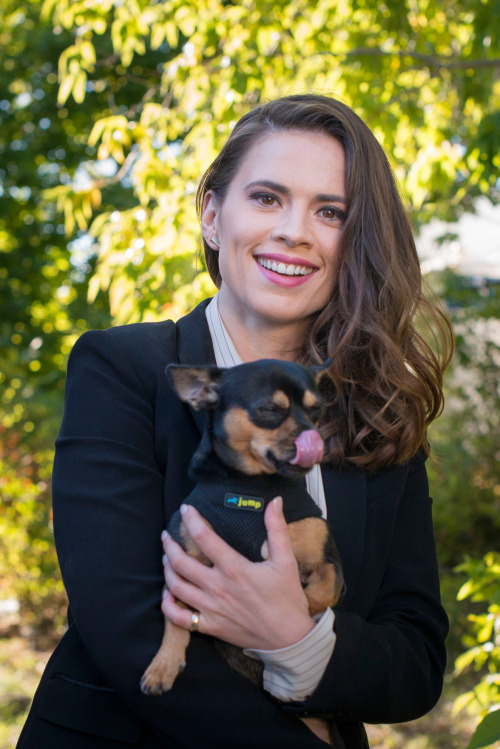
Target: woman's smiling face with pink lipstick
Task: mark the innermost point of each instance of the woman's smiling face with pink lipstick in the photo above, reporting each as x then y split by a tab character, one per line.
278	228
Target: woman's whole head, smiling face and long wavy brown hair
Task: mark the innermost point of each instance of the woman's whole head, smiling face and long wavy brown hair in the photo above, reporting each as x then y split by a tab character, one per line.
303	187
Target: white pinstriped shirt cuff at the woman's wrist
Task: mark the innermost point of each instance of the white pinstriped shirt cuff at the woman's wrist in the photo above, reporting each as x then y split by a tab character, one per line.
294	672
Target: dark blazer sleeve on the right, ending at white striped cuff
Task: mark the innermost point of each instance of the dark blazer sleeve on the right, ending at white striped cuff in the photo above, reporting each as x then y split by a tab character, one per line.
387	666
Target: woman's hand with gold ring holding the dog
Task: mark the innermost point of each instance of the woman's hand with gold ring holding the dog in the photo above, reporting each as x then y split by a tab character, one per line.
249	604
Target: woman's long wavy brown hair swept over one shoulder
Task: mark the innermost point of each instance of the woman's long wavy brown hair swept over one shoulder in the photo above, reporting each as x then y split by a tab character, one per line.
389	340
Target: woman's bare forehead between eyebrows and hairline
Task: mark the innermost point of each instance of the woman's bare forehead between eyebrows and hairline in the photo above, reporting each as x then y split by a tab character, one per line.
308	162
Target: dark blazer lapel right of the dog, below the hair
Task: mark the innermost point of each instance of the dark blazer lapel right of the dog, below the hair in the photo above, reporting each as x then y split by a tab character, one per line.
345	492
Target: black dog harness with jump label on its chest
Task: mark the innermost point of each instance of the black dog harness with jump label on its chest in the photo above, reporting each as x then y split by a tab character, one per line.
235	507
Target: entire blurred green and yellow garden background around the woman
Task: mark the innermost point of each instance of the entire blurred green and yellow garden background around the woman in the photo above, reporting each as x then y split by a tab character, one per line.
110	110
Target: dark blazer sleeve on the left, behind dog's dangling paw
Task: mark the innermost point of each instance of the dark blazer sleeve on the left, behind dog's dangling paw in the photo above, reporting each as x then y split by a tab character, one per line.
108	495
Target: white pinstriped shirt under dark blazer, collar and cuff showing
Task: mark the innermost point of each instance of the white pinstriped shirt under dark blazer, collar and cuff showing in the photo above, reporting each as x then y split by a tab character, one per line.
294	672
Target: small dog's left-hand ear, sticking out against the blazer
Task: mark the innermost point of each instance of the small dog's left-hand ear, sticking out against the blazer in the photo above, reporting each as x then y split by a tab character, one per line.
198	386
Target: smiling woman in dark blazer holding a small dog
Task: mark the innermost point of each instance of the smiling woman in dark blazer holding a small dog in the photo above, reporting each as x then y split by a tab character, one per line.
307	240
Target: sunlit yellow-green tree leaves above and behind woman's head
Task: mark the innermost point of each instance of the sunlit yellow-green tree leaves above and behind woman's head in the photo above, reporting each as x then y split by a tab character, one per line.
423	74
